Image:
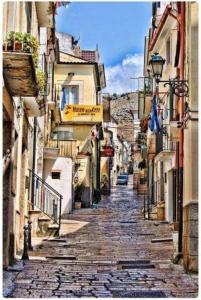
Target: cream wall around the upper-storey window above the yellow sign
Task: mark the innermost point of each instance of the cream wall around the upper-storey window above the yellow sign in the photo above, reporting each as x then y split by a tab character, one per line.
83	74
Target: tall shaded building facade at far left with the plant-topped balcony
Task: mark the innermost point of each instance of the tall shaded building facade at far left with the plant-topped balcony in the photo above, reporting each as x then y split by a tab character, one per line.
28	50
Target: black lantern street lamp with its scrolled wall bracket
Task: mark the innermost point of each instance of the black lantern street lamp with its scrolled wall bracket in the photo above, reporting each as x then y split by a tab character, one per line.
179	87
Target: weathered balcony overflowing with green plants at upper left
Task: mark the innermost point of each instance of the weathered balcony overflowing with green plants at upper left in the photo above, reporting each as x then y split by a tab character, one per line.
21	71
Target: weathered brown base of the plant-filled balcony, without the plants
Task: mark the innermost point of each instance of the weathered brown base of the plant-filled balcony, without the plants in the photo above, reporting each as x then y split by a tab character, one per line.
19	74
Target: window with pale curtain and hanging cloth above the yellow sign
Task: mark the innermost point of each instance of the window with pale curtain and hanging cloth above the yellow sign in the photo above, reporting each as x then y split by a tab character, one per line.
69	95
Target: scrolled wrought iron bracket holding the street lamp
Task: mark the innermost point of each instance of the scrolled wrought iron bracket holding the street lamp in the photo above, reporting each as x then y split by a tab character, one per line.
179	87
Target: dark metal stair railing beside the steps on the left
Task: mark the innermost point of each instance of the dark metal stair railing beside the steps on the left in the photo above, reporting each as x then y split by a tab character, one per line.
46	198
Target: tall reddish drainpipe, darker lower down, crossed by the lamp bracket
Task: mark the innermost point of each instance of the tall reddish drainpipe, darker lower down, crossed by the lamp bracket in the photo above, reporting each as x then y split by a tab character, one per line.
181	132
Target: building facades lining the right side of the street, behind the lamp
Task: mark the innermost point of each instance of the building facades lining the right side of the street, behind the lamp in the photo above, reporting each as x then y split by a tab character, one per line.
171	144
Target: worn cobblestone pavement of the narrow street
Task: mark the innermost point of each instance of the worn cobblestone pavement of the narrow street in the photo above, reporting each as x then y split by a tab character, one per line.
111	255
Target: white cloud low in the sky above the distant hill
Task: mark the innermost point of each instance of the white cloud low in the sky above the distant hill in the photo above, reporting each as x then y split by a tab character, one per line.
118	76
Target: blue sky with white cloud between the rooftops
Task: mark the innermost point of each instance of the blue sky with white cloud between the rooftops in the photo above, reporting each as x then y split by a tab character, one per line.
118	28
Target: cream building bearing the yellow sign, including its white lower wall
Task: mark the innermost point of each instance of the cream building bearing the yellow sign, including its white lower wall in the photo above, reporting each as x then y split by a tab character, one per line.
74	125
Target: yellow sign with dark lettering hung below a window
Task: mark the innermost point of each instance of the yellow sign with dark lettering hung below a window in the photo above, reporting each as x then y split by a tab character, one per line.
83	113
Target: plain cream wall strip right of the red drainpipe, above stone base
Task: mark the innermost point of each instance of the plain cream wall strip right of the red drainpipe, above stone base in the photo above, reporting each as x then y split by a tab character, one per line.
191	132
